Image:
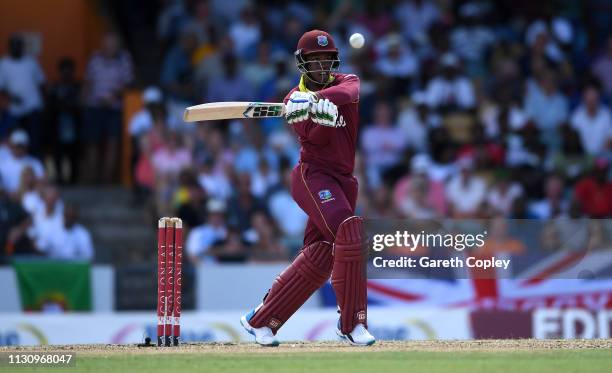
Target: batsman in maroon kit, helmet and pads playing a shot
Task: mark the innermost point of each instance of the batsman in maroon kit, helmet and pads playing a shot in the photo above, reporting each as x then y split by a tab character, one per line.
324	112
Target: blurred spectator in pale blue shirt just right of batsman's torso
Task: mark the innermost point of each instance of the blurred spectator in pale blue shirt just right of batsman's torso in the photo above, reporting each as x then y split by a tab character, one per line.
383	143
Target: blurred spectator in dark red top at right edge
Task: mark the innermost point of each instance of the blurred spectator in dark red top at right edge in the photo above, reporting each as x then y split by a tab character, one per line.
594	192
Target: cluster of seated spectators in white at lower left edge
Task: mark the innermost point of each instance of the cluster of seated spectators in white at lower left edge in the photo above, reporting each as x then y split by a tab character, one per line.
34	221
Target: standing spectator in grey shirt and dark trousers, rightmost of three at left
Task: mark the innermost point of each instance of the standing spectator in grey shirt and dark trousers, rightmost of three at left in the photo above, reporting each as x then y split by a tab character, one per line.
109	72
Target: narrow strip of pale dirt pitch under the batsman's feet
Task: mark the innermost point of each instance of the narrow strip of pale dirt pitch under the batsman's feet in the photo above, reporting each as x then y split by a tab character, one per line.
308	347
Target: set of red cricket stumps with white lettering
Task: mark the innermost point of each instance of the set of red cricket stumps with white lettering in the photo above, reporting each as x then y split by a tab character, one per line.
169	280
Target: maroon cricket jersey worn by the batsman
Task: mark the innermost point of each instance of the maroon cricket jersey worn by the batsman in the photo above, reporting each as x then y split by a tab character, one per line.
329	147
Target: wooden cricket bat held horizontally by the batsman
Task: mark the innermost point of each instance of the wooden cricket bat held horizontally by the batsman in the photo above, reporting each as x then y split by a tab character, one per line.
233	110
